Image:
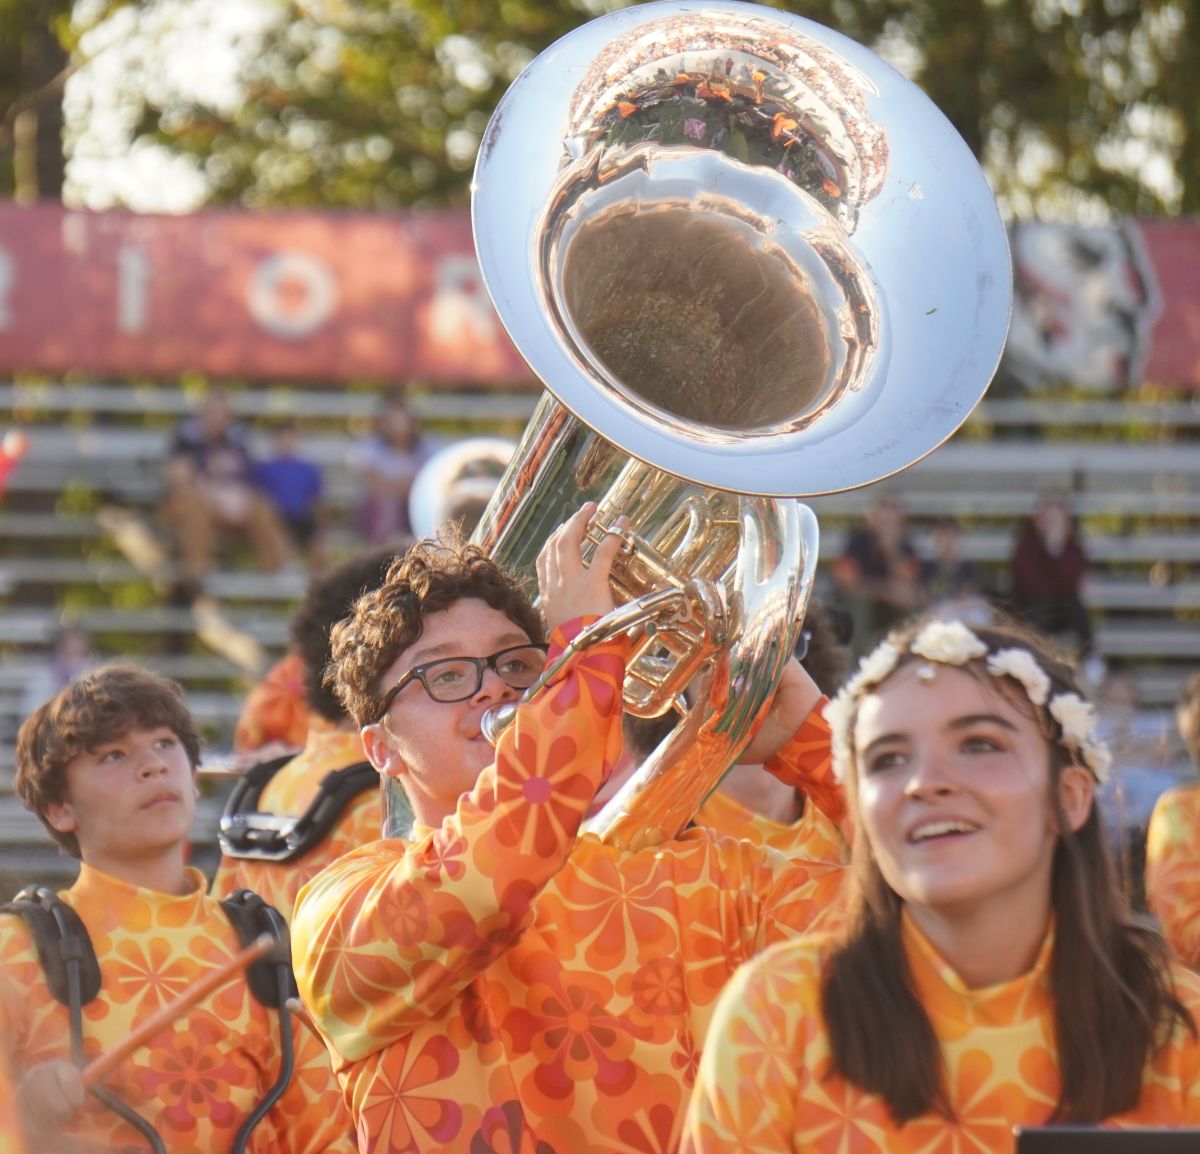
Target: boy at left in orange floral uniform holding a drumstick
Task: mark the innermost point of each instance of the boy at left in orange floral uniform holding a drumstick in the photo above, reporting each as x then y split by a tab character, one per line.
109	766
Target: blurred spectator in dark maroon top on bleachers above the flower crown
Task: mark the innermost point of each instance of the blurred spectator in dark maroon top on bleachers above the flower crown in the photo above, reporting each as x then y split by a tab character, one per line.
1049	568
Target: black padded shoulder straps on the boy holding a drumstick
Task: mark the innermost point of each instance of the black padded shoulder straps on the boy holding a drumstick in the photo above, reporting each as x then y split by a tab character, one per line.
63	939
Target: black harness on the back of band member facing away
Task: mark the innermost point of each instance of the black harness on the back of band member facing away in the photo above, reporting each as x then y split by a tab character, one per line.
250	834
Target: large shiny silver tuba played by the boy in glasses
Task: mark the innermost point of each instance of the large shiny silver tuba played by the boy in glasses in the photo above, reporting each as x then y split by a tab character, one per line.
752	263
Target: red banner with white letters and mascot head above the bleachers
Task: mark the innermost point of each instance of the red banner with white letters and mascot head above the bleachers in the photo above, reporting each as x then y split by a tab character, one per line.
327	297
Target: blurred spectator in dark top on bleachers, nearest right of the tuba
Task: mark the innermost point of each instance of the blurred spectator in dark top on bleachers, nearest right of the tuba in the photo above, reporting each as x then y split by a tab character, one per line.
878	575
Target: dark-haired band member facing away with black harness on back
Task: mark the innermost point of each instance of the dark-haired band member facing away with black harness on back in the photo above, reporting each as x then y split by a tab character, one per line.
328	796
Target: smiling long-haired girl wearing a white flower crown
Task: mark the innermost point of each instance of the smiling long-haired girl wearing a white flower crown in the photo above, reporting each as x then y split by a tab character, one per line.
989	975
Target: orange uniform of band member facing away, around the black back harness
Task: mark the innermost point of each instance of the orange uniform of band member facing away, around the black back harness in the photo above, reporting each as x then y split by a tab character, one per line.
289	794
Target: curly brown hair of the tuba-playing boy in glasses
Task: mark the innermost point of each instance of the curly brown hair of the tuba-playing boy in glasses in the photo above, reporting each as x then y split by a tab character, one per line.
431	576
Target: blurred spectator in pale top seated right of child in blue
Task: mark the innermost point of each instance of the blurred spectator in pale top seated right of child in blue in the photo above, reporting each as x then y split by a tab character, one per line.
388	461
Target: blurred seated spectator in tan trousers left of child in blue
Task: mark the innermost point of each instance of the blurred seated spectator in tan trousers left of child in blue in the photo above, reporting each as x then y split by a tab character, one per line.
212	495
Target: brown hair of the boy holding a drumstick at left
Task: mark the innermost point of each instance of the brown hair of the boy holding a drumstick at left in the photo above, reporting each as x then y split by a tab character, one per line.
94	710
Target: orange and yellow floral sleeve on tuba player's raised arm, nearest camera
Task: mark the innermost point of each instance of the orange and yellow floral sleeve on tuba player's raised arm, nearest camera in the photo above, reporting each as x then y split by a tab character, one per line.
387	936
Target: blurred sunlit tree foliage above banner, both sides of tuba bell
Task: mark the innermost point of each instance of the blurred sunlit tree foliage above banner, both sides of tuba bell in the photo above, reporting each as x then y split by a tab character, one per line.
1075	107
